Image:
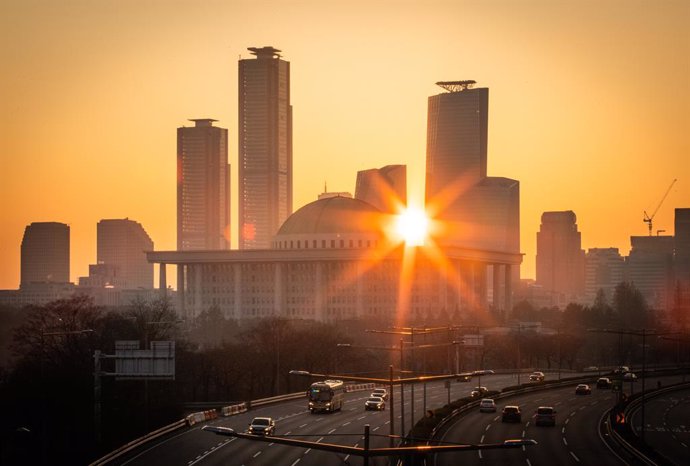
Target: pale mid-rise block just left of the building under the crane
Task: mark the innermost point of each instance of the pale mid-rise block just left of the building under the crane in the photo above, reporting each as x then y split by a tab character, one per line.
604	270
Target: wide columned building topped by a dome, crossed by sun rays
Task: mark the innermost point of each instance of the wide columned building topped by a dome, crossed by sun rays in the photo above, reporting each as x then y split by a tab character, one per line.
334	259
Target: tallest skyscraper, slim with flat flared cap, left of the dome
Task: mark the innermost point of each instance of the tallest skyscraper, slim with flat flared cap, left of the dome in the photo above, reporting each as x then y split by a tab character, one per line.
265	147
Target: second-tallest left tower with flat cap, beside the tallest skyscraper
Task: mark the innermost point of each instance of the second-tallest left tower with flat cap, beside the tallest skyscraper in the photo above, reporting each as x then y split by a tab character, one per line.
203	187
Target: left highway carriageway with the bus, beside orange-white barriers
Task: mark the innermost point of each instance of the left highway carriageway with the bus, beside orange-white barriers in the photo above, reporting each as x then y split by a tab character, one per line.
195	447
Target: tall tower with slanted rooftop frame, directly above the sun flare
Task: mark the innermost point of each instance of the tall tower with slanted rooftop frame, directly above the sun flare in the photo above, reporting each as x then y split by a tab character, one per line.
456	141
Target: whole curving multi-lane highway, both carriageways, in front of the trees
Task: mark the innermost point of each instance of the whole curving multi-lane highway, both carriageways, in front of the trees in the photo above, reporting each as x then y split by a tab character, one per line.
574	439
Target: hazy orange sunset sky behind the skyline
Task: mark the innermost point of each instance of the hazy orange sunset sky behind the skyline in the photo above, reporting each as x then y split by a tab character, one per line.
589	104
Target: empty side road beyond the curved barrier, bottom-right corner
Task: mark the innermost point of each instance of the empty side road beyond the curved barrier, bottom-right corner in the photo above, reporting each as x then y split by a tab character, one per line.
667	425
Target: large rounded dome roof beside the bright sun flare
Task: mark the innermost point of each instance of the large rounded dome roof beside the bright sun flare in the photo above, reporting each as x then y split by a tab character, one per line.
333	215
